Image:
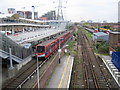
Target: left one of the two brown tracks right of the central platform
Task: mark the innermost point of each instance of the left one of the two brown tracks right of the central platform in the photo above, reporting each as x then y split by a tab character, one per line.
89	72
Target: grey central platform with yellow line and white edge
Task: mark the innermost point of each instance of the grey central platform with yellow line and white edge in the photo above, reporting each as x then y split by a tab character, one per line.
62	73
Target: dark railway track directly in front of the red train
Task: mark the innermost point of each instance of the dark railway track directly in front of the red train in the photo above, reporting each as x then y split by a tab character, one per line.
21	77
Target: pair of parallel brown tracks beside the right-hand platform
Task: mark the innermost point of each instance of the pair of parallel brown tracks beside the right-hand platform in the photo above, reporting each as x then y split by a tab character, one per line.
94	73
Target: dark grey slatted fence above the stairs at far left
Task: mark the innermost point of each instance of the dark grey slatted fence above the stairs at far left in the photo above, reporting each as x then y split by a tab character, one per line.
16	49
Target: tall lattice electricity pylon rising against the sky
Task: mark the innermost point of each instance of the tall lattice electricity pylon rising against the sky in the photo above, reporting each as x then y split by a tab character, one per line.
60	11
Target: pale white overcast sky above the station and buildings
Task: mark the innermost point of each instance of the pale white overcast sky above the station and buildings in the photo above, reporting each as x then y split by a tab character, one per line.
76	10
